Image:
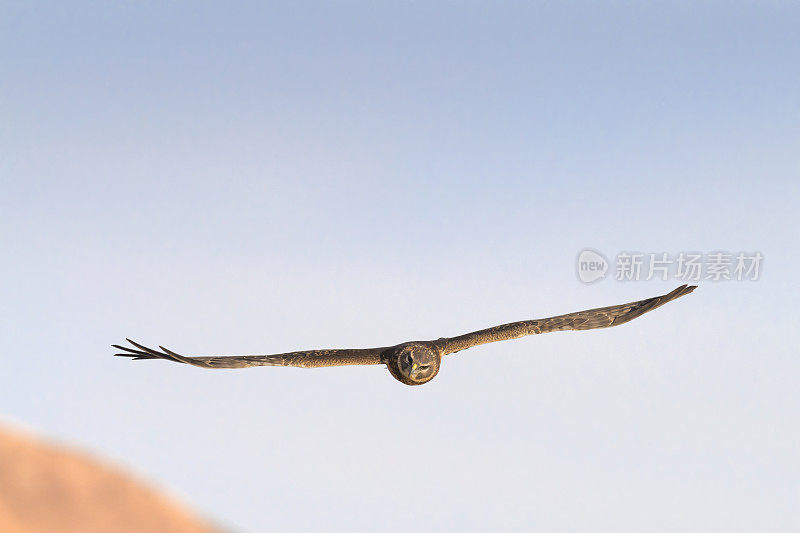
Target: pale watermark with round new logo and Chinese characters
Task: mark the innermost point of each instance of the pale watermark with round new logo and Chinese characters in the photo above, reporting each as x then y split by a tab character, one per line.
684	266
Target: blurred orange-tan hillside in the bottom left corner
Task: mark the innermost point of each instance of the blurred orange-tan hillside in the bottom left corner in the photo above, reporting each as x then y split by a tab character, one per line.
47	489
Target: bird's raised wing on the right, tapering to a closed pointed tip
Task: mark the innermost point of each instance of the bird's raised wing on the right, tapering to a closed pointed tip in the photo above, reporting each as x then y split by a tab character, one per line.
602	317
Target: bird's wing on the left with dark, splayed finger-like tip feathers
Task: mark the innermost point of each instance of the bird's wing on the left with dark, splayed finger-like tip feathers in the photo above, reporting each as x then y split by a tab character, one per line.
306	359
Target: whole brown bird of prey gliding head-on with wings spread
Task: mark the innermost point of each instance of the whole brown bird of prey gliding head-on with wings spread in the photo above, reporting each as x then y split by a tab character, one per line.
417	362
